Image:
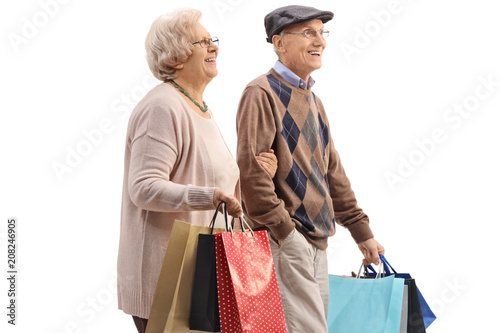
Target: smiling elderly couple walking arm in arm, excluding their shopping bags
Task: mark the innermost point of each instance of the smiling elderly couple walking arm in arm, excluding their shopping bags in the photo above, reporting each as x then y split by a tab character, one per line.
177	165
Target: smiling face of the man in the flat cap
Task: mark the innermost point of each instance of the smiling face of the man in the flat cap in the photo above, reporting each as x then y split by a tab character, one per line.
300	54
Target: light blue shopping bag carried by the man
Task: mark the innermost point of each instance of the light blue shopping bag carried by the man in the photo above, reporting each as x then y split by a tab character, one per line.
365	305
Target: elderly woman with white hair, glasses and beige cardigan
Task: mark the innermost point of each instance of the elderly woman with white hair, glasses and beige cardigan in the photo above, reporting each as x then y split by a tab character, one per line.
177	165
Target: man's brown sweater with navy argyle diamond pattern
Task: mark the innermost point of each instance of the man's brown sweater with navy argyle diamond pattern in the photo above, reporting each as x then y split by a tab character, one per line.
310	190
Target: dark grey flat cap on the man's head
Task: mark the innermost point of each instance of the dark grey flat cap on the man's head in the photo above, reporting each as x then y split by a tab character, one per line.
280	18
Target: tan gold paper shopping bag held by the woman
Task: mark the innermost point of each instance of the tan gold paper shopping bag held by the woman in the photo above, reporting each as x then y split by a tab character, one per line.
172	300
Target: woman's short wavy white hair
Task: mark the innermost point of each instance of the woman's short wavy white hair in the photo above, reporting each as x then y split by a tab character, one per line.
168	42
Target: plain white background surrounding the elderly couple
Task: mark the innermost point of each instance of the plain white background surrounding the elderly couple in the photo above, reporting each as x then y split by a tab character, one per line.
86	59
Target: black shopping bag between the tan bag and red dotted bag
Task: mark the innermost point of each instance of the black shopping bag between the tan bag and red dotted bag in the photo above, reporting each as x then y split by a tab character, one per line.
204	315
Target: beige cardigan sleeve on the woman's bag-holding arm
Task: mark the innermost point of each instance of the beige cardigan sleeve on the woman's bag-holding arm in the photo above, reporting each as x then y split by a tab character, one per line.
154	151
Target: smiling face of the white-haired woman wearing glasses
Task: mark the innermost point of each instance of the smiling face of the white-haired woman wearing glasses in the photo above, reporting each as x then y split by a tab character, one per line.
201	64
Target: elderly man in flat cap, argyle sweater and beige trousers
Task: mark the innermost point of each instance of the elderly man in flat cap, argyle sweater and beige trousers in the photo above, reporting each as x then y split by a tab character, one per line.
310	191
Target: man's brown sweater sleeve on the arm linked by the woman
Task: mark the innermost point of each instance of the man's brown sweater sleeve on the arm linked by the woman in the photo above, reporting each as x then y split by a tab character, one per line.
256	129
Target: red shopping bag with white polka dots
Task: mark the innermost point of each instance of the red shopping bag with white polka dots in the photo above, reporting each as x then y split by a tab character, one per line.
249	298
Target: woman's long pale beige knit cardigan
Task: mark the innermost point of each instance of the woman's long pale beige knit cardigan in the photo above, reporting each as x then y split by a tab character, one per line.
168	175
